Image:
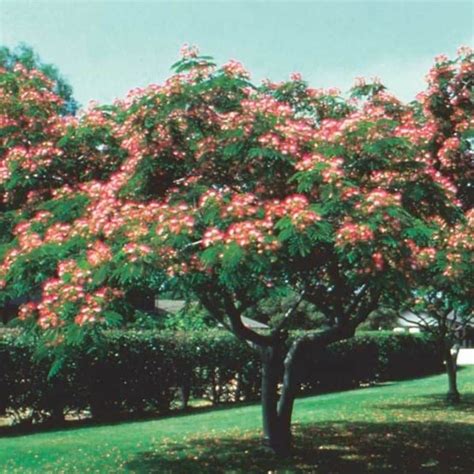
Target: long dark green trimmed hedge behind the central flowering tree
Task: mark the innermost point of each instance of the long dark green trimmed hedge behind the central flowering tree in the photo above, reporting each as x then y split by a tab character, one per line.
149	371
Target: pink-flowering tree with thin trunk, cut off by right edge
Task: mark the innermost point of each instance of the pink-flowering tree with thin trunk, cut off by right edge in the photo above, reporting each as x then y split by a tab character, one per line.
444	289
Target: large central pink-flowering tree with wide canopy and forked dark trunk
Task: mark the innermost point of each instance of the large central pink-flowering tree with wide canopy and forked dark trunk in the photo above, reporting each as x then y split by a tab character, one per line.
234	194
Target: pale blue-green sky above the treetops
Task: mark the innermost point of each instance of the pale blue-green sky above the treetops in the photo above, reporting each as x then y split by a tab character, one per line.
105	48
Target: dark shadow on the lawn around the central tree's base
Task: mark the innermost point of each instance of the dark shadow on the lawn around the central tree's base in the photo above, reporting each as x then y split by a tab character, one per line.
335	447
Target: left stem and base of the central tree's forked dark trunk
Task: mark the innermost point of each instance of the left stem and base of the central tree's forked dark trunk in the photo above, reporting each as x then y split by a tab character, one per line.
276	421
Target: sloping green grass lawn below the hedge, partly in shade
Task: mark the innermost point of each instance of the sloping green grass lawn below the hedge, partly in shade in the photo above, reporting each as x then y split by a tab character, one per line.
398	427
